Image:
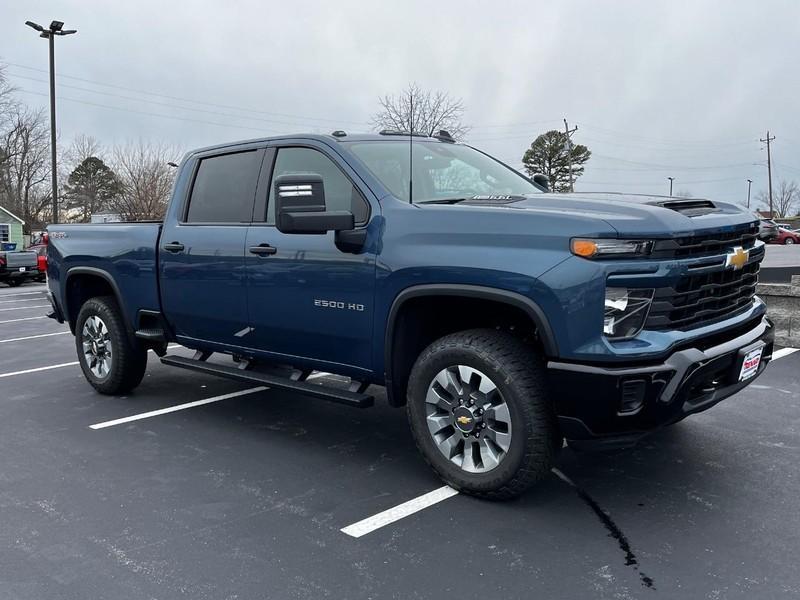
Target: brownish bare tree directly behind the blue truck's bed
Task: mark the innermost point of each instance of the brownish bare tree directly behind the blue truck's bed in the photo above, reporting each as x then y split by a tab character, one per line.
146	180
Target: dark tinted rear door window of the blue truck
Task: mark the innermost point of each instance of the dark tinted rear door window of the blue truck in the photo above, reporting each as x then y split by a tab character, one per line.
225	188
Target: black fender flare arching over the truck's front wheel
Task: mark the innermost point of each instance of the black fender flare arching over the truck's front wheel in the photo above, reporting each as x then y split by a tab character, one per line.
528	306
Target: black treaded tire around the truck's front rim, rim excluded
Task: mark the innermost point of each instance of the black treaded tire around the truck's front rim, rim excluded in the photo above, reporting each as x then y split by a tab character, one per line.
519	376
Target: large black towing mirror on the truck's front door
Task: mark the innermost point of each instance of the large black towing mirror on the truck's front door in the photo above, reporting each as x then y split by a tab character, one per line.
300	206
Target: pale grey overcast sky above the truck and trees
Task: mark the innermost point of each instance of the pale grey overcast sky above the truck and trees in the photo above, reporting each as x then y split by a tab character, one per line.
657	89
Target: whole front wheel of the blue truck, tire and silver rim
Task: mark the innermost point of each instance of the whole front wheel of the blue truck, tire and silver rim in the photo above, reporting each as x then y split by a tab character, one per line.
480	413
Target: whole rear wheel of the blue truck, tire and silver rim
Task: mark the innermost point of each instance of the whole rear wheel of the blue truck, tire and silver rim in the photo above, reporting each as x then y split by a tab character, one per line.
111	360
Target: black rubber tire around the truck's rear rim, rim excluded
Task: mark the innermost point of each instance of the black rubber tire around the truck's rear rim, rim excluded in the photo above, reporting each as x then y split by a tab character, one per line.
129	357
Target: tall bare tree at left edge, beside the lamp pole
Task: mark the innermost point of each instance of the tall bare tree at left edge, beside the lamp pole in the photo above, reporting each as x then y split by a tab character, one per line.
25	167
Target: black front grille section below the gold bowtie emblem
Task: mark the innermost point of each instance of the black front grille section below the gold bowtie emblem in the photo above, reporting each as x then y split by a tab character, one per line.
703	298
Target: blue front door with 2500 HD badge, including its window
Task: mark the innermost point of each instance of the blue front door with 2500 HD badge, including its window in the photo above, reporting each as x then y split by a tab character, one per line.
310	299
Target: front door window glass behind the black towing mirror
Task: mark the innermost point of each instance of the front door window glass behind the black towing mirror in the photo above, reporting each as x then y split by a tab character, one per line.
340	193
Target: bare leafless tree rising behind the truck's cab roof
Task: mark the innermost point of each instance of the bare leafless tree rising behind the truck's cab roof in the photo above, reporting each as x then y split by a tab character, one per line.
429	111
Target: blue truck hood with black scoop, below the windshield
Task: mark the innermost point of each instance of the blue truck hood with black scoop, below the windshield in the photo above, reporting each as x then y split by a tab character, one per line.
634	215
